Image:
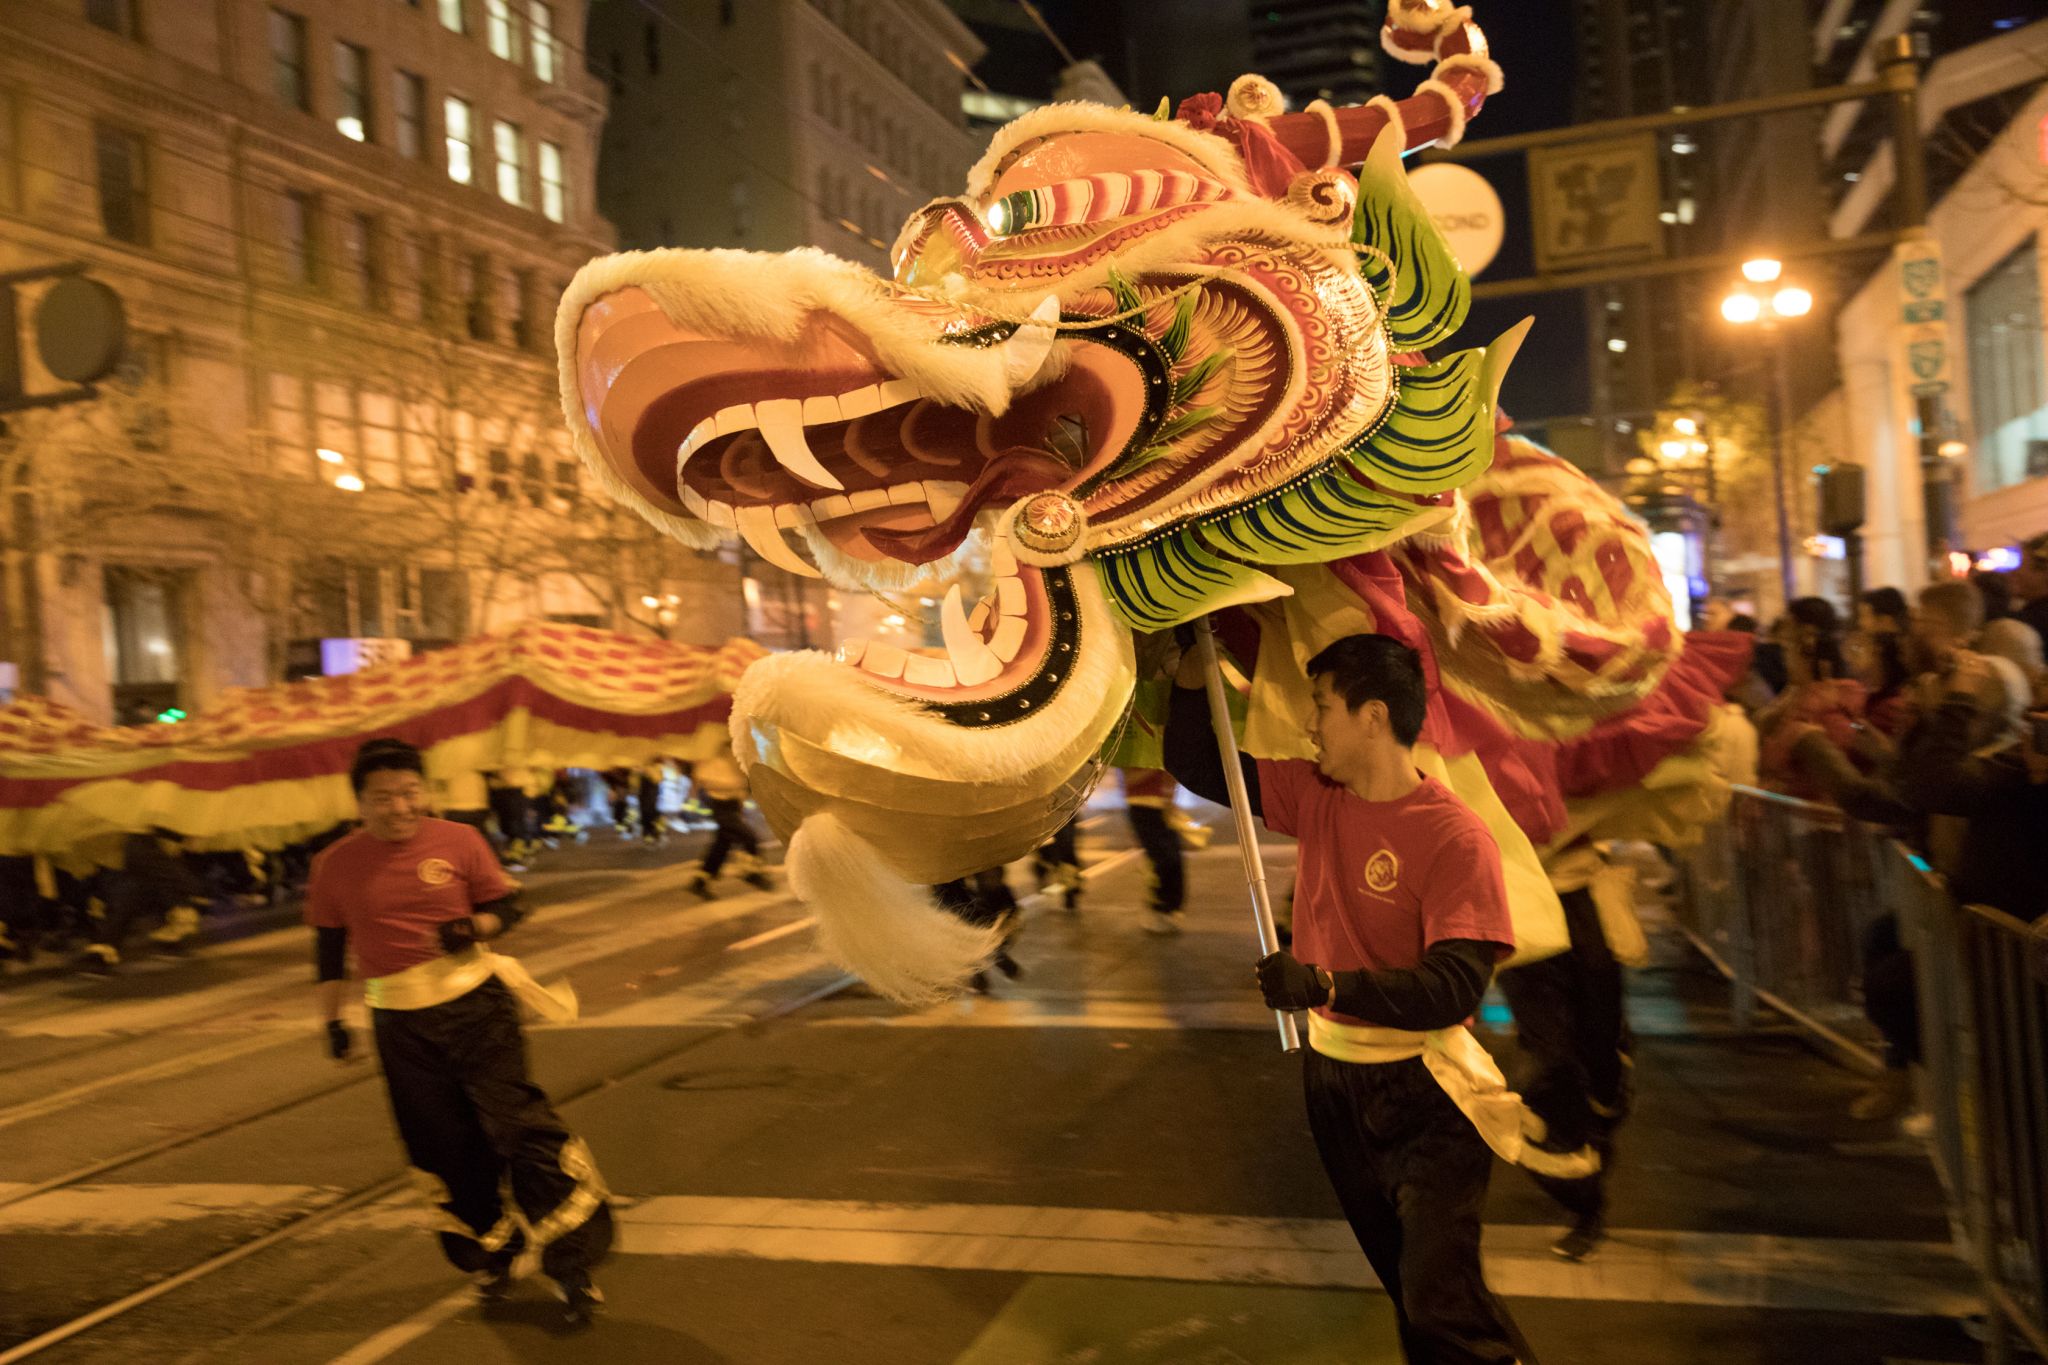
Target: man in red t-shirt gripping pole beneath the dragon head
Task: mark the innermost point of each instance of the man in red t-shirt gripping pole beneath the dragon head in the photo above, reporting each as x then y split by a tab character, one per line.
1400	920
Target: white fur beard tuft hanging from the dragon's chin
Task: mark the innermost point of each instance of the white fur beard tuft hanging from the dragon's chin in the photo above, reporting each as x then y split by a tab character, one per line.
876	924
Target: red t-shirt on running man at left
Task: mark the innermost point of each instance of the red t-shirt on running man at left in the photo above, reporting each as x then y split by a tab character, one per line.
394	897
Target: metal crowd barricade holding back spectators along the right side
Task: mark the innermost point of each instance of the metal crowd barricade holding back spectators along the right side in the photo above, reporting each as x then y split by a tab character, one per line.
1781	899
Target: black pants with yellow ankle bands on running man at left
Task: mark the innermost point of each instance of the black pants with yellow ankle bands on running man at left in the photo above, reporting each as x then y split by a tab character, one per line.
474	1122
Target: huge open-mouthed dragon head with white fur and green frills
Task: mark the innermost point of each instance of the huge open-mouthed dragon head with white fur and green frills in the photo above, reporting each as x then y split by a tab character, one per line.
1134	363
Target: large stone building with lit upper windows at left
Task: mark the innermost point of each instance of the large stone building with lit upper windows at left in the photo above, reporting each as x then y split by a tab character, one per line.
339	232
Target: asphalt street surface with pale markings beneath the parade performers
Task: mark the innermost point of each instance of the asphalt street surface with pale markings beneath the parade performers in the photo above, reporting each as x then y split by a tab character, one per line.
1101	1163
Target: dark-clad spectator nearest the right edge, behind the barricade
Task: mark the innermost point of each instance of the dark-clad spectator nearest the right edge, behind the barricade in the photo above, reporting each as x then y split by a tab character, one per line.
1977	766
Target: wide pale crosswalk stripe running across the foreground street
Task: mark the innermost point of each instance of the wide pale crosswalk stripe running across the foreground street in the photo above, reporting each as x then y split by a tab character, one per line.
1635	1266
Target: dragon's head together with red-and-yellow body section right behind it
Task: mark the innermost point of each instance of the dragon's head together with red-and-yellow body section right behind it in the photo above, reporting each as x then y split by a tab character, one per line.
1144	369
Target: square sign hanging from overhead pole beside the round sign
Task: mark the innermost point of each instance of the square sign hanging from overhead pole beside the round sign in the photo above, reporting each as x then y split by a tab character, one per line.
1596	204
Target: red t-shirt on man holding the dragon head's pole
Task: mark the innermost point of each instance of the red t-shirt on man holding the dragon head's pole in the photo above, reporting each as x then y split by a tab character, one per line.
1381	881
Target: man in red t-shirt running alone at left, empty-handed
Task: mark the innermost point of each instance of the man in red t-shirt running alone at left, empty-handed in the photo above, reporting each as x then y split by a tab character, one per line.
417	899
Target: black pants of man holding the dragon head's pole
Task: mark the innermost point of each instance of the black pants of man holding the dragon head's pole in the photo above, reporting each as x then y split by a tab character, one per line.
1412	1176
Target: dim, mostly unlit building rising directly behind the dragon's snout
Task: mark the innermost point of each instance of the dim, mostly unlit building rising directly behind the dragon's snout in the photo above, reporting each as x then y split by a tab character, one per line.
779	124
